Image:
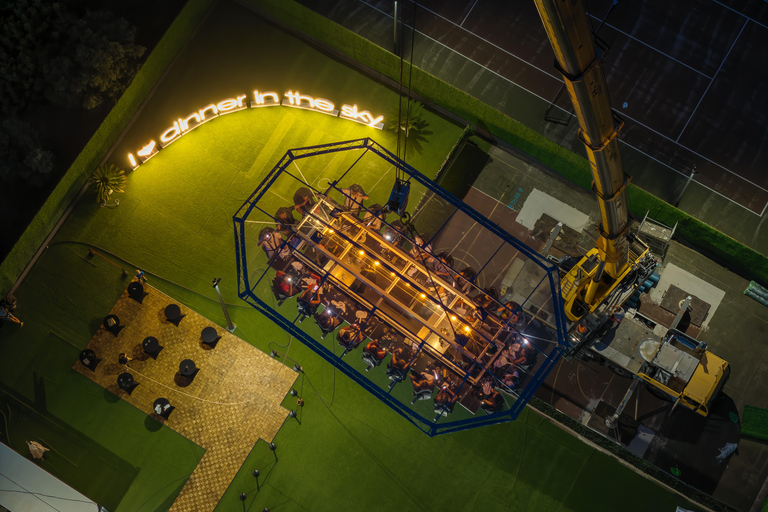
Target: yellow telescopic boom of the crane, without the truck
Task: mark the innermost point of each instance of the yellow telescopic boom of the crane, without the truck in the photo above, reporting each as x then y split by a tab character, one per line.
579	62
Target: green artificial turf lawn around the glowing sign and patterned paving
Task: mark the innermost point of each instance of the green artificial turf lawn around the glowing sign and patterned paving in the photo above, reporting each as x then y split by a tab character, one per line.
350	452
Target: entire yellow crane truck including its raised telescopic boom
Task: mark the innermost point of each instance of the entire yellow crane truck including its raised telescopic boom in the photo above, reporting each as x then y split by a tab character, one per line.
673	365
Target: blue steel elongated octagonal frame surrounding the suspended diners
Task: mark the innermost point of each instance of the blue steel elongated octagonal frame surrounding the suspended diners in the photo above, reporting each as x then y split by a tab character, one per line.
434	427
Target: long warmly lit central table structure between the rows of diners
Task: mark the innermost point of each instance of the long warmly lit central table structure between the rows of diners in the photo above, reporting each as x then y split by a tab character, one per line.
399	287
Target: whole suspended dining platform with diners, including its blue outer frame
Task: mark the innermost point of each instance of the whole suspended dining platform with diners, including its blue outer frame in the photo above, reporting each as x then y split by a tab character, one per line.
375	288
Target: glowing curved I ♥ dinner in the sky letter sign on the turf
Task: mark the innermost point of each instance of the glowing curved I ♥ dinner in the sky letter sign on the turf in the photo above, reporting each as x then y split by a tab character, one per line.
292	99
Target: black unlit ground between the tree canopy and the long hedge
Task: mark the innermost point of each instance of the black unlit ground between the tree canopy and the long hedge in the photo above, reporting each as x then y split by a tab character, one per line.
65	132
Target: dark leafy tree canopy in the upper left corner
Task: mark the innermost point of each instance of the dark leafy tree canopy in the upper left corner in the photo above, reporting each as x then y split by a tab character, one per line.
49	54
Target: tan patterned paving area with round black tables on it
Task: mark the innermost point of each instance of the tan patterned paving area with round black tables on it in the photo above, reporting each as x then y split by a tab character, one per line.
233	400
